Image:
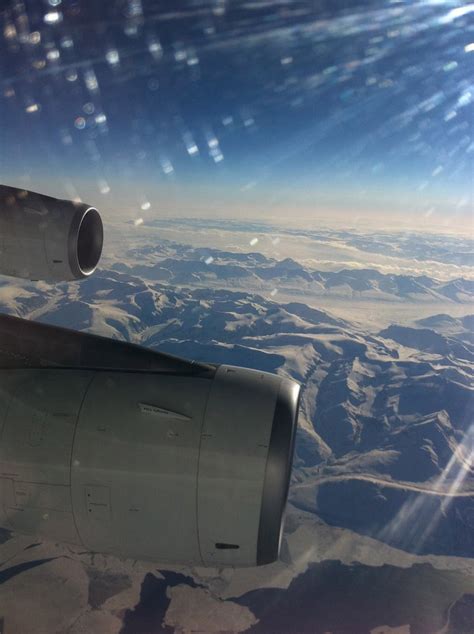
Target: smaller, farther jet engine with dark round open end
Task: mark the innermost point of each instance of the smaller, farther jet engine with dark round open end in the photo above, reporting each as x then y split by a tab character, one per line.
44	238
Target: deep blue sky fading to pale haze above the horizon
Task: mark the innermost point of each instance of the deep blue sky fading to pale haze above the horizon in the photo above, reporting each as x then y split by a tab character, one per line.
289	110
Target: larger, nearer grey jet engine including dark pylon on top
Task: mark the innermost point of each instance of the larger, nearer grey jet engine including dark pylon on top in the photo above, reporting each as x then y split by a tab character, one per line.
179	462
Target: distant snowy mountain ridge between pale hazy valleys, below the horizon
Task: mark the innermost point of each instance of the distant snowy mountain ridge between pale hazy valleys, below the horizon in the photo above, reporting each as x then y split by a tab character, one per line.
183	265
